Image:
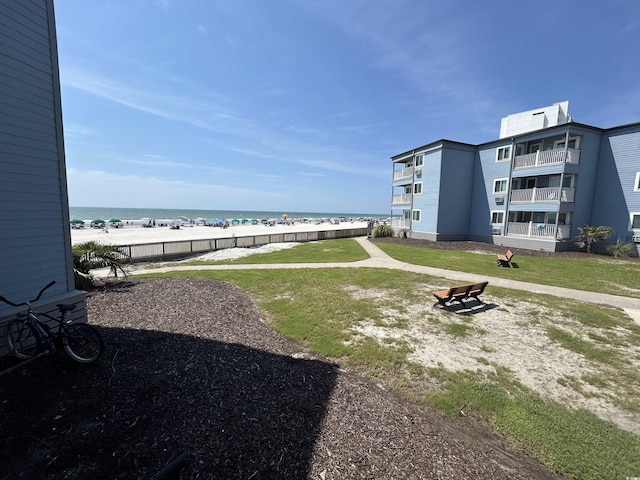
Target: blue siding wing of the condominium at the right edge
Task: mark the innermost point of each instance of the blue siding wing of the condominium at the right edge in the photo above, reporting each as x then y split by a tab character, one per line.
614	196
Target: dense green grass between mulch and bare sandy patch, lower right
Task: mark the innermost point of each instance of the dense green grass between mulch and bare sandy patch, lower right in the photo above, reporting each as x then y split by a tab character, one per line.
575	442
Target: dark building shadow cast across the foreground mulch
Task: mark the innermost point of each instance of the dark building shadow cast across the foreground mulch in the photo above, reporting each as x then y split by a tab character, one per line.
238	412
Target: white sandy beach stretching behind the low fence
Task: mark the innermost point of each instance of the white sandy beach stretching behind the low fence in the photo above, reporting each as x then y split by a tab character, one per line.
137	235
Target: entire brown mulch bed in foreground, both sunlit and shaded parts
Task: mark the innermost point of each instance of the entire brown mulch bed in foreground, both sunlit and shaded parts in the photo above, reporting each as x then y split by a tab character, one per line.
192	368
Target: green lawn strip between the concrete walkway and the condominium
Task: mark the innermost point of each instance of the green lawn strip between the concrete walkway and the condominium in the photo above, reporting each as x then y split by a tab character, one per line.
596	273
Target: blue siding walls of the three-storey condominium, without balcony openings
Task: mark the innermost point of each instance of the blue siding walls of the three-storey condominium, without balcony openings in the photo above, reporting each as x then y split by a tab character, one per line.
603	187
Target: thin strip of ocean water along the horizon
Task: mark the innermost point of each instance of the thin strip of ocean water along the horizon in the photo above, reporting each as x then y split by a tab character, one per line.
124	214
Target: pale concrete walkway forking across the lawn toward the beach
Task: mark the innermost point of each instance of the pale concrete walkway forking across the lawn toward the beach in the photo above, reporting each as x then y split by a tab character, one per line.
379	259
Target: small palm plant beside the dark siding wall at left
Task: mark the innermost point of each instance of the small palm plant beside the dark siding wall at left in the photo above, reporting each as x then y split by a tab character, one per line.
88	255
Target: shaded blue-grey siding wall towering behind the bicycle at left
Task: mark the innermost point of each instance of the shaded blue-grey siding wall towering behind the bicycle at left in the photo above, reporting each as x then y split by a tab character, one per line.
34	237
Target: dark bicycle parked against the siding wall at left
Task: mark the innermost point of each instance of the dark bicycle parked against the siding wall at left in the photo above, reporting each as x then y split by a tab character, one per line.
27	335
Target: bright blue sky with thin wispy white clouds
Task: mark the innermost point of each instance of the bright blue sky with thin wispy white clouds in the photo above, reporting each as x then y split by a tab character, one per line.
298	105
